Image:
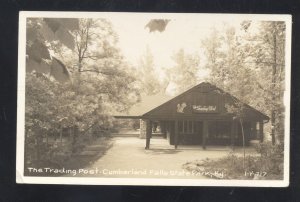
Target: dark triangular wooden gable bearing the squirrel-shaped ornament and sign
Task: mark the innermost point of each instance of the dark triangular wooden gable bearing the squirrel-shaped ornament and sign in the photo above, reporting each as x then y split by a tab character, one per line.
202	100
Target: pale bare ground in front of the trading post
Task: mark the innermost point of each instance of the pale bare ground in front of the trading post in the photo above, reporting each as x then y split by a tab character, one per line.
127	157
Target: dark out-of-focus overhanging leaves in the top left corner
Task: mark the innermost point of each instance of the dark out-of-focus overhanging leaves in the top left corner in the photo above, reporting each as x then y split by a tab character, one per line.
39	33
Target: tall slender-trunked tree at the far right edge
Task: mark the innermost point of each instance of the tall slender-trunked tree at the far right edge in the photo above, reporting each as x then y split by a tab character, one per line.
270	58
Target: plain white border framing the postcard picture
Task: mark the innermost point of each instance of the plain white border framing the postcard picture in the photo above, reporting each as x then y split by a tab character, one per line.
20	178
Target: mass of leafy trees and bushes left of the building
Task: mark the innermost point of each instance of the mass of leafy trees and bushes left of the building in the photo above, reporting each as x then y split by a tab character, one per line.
100	83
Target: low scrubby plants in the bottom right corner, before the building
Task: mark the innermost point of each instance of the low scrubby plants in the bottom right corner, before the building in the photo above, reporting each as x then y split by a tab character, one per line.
256	167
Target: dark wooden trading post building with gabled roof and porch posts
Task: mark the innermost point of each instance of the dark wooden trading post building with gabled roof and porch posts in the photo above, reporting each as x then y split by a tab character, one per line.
202	116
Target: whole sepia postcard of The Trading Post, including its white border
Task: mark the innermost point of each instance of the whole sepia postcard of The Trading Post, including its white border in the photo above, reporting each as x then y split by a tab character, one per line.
154	99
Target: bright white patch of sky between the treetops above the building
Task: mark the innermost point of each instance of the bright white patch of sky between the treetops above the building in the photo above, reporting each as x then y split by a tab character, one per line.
185	33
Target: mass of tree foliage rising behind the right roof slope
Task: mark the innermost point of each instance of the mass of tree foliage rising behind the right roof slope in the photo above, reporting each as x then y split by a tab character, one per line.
249	63
